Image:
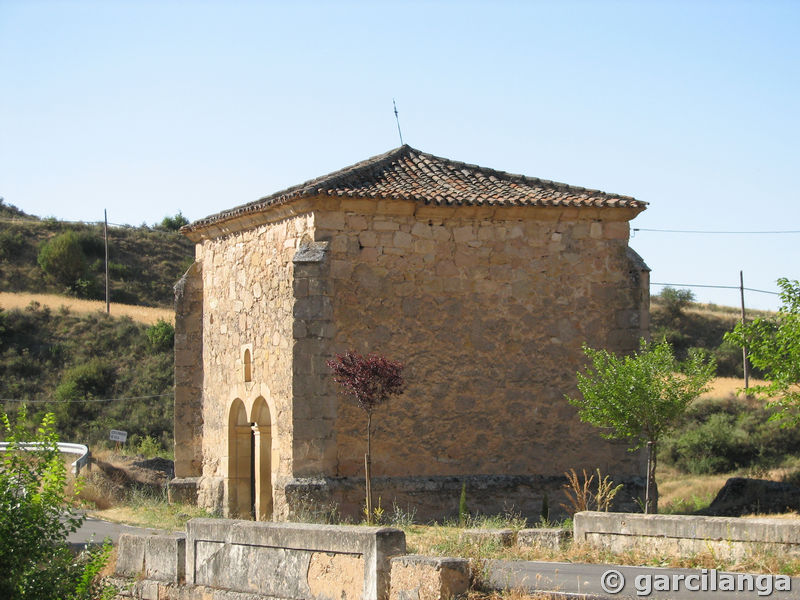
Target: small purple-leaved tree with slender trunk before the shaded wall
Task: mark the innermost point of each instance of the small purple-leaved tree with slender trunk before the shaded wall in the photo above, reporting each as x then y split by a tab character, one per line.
369	380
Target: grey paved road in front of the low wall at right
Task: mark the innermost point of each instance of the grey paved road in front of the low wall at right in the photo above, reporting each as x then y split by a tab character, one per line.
570	578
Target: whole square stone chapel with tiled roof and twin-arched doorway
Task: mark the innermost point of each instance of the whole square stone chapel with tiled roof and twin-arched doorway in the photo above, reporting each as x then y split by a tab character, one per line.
485	284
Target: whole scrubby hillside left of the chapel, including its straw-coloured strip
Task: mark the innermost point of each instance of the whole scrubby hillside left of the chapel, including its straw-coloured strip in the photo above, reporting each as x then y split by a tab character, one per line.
60	352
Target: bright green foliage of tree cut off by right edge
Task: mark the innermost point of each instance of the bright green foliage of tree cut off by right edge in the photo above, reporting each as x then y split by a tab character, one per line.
773	345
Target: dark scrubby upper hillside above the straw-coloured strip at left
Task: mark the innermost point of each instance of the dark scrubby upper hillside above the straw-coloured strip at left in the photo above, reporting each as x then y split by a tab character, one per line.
49	256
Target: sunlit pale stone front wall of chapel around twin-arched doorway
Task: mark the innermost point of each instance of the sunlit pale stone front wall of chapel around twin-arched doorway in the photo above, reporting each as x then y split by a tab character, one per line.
249	303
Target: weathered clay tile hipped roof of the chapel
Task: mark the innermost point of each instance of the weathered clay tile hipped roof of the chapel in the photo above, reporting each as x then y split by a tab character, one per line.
408	174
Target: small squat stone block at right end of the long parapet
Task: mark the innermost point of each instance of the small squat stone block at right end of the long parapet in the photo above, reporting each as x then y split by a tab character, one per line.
416	577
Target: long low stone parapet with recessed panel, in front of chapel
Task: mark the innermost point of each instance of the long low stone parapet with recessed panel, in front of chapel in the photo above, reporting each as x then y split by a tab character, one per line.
292	560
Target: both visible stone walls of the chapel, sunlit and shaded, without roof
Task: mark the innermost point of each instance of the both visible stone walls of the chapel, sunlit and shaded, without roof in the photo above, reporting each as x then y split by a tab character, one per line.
487	306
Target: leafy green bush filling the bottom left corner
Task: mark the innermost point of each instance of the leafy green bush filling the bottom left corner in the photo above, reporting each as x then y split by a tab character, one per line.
36	516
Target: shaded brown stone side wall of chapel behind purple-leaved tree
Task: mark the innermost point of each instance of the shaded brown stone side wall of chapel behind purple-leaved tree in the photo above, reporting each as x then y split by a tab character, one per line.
488	308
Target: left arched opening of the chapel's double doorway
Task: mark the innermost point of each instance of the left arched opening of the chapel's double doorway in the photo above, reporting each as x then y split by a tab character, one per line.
240	462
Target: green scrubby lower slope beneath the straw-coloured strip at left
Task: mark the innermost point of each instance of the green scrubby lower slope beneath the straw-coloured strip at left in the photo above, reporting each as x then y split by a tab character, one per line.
95	372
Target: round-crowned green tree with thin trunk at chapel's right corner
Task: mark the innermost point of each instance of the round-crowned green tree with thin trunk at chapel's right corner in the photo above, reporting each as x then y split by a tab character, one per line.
641	397
